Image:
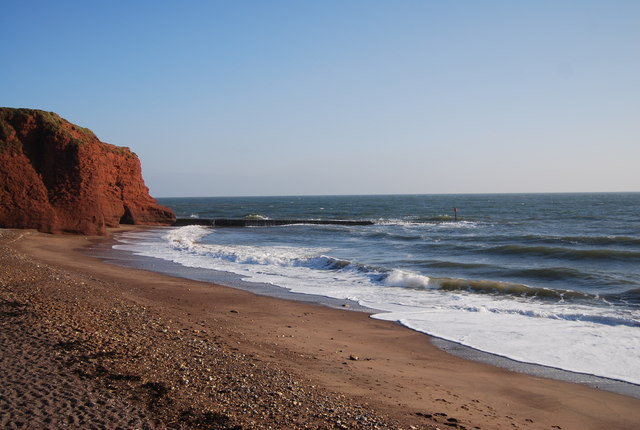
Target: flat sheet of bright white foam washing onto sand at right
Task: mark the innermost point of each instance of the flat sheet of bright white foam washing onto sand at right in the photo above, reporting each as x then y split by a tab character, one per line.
529	335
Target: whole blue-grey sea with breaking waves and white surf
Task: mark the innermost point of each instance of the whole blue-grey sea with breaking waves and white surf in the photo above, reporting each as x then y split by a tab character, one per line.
550	279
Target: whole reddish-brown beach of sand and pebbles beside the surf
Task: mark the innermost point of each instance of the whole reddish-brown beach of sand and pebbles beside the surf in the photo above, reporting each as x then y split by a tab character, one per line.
86	344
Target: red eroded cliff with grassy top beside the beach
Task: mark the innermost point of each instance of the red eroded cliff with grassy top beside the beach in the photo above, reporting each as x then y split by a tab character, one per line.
58	177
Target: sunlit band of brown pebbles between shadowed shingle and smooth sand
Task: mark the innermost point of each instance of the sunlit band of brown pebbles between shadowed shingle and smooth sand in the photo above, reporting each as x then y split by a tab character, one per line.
174	378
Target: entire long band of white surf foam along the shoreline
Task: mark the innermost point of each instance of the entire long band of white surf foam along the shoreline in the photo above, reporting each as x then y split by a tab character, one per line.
570	336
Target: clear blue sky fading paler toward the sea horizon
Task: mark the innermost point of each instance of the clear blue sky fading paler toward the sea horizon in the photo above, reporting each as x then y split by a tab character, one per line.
249	98
